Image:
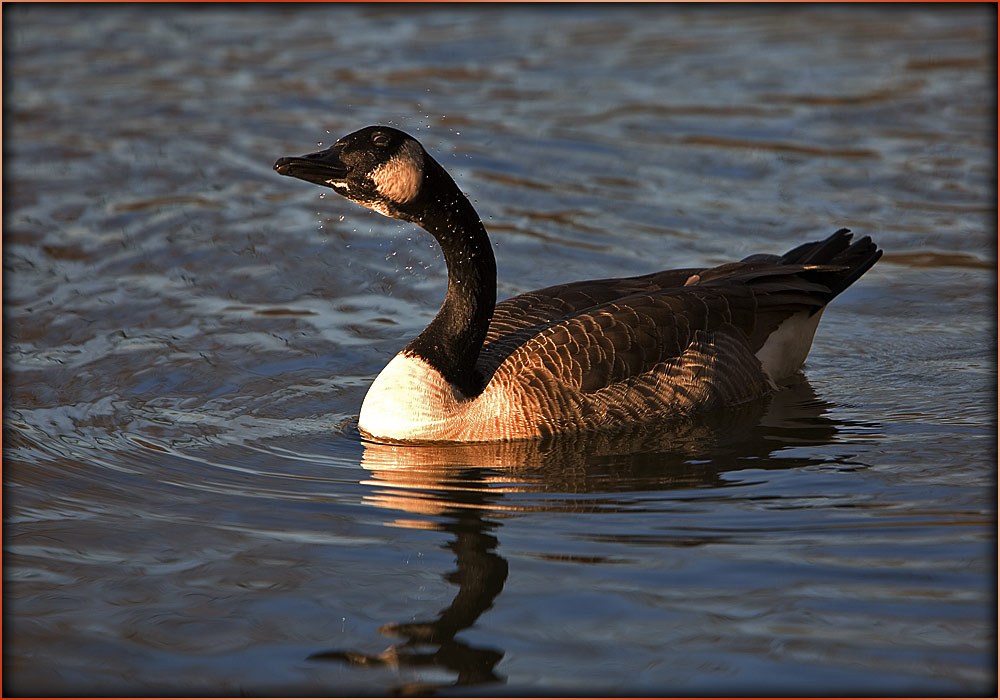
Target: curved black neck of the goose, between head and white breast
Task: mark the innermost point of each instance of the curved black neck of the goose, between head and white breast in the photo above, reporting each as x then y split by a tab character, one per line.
452	341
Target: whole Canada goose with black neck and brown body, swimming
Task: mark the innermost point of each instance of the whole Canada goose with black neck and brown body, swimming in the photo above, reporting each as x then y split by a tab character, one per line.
578	356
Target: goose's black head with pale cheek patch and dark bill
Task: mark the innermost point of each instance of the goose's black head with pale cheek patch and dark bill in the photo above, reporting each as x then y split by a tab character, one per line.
378	167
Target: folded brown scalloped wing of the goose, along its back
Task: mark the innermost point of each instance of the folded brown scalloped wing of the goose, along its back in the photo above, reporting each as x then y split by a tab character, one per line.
600	343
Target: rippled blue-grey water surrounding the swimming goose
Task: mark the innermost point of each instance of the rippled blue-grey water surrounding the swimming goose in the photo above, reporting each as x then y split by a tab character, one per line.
188	338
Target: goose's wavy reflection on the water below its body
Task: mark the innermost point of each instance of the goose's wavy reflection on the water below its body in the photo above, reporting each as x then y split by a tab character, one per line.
466	489
